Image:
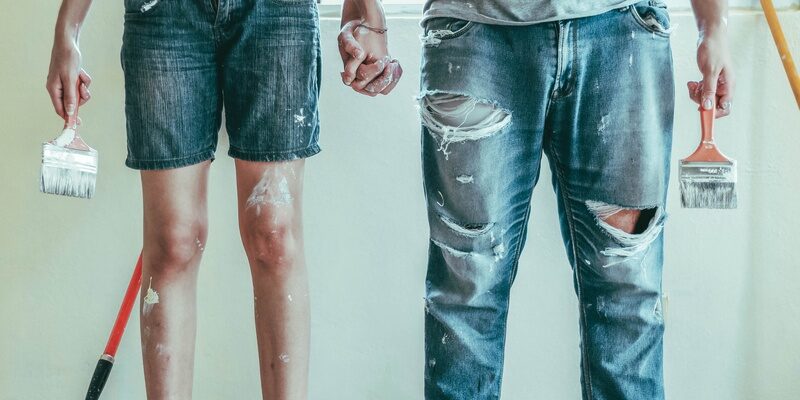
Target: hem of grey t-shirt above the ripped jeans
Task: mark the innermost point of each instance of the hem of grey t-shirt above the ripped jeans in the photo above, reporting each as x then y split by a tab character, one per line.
518	12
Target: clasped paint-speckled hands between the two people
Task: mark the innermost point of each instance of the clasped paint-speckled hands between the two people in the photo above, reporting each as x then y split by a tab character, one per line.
368	68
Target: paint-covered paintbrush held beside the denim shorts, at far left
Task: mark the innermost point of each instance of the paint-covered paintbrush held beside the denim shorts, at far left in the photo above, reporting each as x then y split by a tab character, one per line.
69	165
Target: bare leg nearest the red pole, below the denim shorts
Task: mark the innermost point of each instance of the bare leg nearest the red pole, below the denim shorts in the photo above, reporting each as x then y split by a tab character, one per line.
175	230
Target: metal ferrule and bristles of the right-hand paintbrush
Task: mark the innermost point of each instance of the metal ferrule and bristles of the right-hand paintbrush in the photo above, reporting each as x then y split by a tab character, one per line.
708	184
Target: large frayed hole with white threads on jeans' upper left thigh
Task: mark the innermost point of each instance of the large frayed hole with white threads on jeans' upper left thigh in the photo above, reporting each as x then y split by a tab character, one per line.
453	118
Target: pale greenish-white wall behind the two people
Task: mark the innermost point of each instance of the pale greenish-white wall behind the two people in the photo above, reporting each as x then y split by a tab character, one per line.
732	277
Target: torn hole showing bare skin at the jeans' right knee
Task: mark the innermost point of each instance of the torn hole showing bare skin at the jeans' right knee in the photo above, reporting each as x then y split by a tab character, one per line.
633	228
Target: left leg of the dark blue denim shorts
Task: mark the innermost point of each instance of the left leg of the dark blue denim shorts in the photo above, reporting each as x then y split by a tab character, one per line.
172	99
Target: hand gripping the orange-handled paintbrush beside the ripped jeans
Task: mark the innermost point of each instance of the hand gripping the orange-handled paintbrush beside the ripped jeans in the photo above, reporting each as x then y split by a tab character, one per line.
718	84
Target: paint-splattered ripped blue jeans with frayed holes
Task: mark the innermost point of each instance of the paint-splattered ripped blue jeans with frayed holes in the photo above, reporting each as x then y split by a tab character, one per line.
595	95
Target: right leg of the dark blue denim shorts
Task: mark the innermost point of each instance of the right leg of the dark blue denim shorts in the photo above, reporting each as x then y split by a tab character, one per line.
271	81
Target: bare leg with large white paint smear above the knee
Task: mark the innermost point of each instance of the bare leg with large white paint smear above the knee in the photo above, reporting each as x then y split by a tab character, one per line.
270	223
